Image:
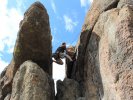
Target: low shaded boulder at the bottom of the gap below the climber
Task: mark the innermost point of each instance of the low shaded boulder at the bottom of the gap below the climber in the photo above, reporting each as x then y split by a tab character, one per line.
68	90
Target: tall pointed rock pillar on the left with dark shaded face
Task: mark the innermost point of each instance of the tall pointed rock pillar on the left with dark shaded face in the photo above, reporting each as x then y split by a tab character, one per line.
33	43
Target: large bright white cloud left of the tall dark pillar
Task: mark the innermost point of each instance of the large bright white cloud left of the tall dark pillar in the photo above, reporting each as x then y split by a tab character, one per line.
9	19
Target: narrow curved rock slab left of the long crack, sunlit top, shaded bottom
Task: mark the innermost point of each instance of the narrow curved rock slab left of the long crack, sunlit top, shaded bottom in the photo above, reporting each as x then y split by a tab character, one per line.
97	8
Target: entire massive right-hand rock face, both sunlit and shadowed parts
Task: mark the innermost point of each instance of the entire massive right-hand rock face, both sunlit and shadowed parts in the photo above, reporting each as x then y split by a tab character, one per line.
104	66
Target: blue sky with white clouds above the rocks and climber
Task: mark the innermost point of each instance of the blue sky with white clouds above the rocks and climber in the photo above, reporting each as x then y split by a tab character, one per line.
66	19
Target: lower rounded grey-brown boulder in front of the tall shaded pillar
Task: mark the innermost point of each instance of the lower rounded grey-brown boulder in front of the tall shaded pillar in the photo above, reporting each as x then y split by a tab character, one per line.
32	83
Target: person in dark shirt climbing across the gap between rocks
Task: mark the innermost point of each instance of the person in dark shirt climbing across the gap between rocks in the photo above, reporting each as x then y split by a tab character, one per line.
60	53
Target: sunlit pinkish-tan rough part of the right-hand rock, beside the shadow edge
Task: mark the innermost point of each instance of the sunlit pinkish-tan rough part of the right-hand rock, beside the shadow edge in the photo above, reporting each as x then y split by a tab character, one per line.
115	29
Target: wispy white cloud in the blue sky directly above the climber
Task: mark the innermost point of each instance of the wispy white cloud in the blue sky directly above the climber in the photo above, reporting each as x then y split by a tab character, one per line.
69	23
